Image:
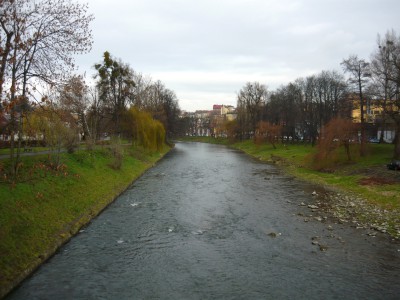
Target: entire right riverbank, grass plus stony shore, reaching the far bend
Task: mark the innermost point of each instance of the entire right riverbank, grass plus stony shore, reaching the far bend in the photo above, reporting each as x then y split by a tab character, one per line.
362	192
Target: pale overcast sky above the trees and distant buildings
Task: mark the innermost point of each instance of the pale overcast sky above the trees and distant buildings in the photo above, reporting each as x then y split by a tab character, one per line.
206	50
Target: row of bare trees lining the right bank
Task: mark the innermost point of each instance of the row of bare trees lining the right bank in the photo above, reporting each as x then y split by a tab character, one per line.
301	109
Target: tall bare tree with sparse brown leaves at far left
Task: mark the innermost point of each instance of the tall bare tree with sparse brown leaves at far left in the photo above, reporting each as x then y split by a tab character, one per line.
40	40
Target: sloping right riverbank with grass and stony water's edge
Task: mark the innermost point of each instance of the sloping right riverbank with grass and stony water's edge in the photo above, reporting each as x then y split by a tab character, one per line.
373	208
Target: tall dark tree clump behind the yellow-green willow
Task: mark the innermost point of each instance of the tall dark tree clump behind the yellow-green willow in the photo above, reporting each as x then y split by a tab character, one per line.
118	90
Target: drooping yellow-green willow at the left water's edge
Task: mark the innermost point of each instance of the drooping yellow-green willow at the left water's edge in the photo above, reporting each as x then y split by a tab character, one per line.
146	131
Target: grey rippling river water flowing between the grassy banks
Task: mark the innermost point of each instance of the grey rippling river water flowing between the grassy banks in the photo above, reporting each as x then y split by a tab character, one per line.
209	222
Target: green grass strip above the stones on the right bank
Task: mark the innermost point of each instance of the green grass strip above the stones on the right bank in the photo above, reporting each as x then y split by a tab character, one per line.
297	160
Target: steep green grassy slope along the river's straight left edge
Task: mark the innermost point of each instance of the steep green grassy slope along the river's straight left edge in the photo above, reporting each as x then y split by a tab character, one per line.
50	204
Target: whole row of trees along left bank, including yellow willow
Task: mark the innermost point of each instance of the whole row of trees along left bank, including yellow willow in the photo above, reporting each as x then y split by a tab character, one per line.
42	99
